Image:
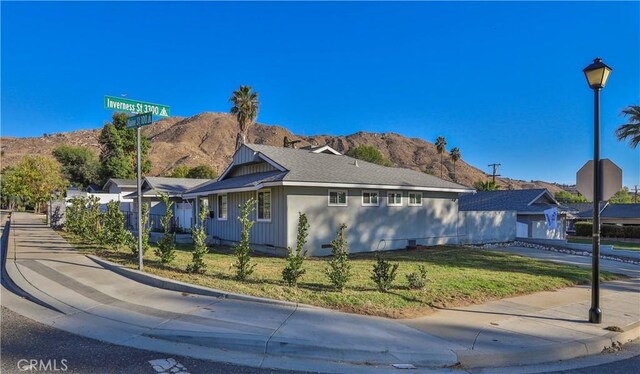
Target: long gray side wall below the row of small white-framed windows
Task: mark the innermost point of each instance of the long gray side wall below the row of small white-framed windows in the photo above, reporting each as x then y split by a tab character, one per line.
372	228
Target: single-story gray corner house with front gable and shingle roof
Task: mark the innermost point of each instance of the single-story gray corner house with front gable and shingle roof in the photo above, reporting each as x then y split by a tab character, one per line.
383	207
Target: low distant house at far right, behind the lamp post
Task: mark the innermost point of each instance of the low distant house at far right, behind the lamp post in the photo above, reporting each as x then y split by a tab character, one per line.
619	214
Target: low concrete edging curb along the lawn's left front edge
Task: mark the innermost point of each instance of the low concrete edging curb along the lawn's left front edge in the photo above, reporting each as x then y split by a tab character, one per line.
173	285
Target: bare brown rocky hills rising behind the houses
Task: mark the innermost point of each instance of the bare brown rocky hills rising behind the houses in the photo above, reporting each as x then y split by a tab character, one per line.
209	138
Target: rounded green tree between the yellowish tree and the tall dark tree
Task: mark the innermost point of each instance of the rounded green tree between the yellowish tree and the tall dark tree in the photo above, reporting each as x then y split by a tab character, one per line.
79	164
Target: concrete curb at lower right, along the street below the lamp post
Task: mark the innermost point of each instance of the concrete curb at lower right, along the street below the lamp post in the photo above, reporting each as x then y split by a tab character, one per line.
547	353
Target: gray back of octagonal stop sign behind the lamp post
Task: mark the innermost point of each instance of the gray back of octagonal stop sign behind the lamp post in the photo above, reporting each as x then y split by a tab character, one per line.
611	181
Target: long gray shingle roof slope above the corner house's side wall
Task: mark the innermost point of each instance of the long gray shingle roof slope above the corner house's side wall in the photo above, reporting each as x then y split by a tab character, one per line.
306	166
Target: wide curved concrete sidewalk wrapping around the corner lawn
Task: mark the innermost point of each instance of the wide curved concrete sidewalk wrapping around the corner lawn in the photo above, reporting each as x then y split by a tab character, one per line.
90	300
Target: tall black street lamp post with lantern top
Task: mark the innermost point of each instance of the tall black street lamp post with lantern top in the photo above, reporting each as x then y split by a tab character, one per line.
597	74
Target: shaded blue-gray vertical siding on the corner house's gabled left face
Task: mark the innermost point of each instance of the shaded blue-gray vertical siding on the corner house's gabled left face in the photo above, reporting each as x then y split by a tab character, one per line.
265	236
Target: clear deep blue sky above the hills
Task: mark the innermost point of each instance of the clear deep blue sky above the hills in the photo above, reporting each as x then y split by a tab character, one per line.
502	81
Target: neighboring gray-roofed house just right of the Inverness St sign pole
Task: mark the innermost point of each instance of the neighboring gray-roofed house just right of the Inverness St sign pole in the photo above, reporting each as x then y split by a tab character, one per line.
182	209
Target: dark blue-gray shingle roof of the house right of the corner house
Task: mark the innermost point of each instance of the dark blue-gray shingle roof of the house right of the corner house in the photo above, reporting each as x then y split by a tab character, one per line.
517	200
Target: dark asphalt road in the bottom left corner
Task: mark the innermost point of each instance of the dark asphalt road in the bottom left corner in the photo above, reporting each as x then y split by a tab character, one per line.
23	340
